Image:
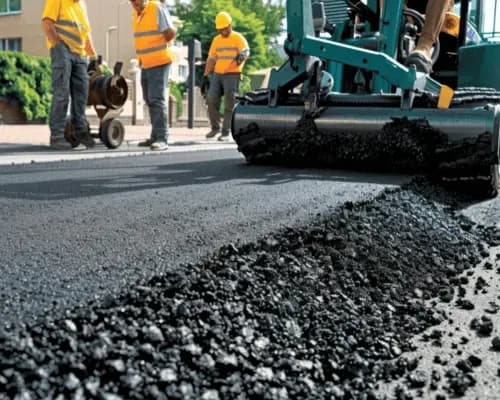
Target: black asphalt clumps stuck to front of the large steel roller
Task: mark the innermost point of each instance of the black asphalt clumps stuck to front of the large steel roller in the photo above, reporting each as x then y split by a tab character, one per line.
402	145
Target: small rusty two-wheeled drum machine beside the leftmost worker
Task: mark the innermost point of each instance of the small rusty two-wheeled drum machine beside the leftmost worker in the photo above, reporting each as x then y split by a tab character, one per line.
107	95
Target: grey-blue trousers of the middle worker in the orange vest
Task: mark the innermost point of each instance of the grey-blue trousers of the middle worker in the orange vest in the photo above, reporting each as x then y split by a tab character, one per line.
154	82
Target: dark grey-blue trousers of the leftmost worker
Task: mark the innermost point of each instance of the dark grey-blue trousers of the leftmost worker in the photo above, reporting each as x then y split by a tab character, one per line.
70	79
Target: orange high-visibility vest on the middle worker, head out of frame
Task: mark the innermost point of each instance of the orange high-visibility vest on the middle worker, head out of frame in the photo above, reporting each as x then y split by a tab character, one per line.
150	44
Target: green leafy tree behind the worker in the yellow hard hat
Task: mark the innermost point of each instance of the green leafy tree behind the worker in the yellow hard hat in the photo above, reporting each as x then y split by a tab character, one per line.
257	20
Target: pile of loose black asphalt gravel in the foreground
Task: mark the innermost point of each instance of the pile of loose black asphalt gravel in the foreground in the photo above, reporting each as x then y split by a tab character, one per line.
322	312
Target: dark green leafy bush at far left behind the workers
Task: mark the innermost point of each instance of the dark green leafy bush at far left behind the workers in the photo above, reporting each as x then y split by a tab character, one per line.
26	80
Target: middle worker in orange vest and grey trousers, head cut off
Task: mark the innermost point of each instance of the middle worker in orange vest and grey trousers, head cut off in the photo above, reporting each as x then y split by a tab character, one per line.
153	31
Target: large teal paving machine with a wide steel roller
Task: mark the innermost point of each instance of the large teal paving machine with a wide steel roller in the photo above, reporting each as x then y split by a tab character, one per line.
345	99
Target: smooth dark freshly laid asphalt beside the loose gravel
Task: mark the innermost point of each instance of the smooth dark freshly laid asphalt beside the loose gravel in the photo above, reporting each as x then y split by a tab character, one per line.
77	230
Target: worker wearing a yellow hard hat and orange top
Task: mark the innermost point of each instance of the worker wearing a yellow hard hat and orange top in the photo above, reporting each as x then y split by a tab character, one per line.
226	57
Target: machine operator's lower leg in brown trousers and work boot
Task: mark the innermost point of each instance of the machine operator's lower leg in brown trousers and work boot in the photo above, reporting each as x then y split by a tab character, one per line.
421	55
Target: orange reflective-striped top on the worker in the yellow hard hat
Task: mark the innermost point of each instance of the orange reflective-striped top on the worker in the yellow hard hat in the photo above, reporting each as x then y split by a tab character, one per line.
224	50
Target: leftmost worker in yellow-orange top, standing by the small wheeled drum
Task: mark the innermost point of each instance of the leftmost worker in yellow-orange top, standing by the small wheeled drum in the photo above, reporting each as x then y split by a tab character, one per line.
67	29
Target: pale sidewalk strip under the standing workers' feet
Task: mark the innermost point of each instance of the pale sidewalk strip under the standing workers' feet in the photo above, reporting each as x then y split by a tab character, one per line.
26	144
